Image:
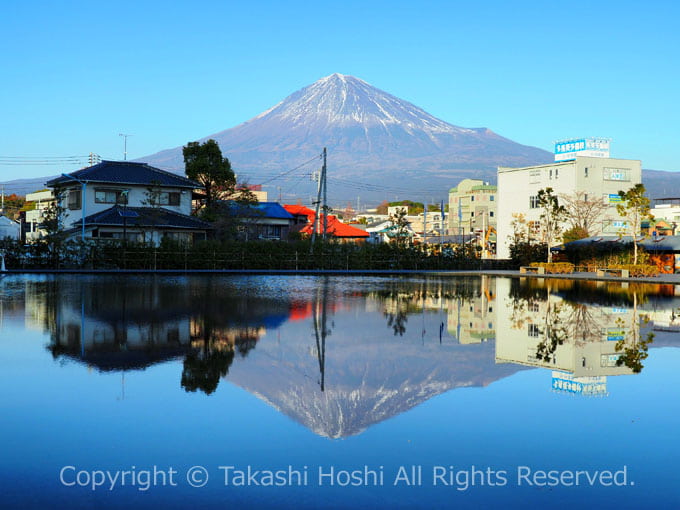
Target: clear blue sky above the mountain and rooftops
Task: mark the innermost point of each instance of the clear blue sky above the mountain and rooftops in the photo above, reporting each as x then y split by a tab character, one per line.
76	74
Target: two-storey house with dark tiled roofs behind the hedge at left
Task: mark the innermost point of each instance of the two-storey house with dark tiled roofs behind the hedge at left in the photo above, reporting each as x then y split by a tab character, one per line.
122	199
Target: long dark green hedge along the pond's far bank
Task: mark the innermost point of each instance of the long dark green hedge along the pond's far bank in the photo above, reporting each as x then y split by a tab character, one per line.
216	255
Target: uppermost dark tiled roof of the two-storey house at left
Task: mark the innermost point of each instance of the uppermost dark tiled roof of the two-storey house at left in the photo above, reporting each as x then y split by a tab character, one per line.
126	172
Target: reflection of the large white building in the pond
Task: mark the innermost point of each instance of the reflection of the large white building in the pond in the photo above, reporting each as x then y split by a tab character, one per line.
589	334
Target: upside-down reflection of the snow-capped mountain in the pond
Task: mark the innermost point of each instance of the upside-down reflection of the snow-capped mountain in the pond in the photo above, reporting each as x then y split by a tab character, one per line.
362	372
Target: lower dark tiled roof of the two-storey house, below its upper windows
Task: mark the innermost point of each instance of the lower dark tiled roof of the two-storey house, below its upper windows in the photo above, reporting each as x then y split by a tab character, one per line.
145	217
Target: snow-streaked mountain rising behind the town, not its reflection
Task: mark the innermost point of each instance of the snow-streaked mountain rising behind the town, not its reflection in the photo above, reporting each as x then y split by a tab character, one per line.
369	134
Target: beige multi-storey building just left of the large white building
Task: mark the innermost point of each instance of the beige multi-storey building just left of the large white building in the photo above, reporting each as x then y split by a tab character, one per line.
472	207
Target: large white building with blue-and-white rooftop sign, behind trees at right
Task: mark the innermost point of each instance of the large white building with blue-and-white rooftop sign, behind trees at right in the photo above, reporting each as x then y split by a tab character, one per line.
598	178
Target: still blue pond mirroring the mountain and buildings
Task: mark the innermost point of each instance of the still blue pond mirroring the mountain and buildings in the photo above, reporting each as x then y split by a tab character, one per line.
337	392
